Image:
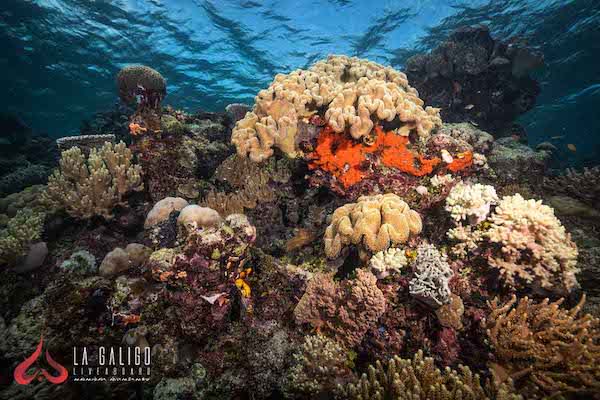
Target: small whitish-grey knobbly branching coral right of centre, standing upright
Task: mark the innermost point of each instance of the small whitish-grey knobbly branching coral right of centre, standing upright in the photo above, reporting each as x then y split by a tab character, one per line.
431	277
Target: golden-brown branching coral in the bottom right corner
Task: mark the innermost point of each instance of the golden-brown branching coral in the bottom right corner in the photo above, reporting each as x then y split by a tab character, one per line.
546	349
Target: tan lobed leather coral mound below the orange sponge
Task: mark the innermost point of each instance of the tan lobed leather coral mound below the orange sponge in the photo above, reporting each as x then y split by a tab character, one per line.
373	223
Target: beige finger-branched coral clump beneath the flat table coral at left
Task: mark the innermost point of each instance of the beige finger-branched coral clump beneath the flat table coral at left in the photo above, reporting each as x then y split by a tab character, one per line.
95	186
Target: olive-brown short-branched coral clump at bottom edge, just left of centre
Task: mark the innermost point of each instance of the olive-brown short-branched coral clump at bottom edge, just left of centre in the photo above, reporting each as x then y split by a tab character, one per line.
320	367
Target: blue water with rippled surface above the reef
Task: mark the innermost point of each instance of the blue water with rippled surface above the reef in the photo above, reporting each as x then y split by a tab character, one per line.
59	57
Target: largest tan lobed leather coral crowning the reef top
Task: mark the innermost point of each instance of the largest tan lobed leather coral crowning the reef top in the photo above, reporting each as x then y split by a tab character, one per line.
353	92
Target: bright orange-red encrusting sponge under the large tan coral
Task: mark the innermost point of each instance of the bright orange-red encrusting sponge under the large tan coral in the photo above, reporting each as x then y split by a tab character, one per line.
345	158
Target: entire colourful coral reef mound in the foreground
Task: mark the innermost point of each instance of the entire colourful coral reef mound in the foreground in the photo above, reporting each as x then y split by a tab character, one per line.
347	243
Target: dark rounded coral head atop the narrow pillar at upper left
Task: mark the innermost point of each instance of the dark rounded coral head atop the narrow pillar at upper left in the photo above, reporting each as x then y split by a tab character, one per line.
133	78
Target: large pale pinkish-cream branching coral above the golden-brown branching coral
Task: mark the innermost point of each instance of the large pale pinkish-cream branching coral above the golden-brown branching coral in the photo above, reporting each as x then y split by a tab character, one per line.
536	249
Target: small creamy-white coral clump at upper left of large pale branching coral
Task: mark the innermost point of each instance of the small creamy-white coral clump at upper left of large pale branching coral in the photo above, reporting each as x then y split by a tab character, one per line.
471	202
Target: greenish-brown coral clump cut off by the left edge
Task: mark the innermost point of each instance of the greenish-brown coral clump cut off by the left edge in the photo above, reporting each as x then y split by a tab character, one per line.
21	230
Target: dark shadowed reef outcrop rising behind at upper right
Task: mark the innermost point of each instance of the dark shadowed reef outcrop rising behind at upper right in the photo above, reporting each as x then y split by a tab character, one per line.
473	77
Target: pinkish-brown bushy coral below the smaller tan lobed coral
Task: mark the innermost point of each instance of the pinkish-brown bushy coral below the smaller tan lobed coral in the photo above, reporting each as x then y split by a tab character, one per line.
341	310
